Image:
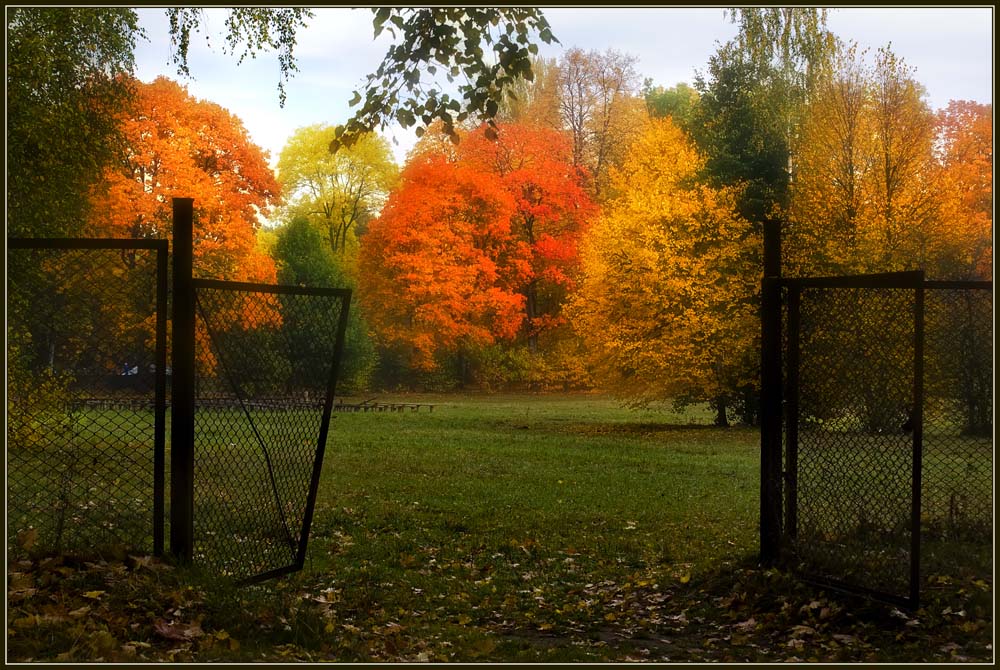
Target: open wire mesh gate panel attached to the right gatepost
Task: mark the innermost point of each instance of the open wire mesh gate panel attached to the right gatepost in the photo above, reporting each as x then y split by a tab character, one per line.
852	458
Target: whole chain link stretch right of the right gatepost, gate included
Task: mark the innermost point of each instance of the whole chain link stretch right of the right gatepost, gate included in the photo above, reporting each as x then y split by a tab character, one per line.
887	435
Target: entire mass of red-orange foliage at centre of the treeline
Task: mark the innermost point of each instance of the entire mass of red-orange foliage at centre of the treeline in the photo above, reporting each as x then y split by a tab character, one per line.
472	246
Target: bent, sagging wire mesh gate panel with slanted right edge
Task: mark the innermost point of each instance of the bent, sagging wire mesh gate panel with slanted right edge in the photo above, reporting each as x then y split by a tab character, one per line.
266	361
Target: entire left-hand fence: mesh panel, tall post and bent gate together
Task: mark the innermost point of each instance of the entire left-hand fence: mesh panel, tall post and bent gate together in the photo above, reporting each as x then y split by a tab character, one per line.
253	370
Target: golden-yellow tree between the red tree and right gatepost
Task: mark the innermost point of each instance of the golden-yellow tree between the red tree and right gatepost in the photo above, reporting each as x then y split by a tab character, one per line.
665	305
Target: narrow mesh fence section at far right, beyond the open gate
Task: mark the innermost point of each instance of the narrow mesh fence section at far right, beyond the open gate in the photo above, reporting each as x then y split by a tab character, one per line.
957	497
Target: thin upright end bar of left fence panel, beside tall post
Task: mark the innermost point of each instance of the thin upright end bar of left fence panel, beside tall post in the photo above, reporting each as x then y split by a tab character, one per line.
160	400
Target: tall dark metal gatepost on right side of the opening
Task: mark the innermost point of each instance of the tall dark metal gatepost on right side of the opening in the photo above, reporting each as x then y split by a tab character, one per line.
770	382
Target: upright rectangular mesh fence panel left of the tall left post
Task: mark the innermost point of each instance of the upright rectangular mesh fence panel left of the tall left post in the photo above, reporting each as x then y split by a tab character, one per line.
85	396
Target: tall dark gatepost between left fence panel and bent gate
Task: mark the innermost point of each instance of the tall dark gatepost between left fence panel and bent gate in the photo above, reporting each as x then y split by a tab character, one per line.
182	385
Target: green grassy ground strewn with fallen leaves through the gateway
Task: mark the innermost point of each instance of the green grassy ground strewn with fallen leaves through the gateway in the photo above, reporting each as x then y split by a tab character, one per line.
503	528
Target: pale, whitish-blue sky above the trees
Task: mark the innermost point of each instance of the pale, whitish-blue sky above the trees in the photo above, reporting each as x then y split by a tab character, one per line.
951	49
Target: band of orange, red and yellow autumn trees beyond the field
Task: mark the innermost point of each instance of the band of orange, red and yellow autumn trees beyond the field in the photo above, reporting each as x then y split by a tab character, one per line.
602	232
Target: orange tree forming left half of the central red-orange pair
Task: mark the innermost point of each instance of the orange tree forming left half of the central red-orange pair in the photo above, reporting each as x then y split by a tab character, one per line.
440	272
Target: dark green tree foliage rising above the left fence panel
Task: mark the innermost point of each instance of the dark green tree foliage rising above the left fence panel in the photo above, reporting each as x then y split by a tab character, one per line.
67	83
